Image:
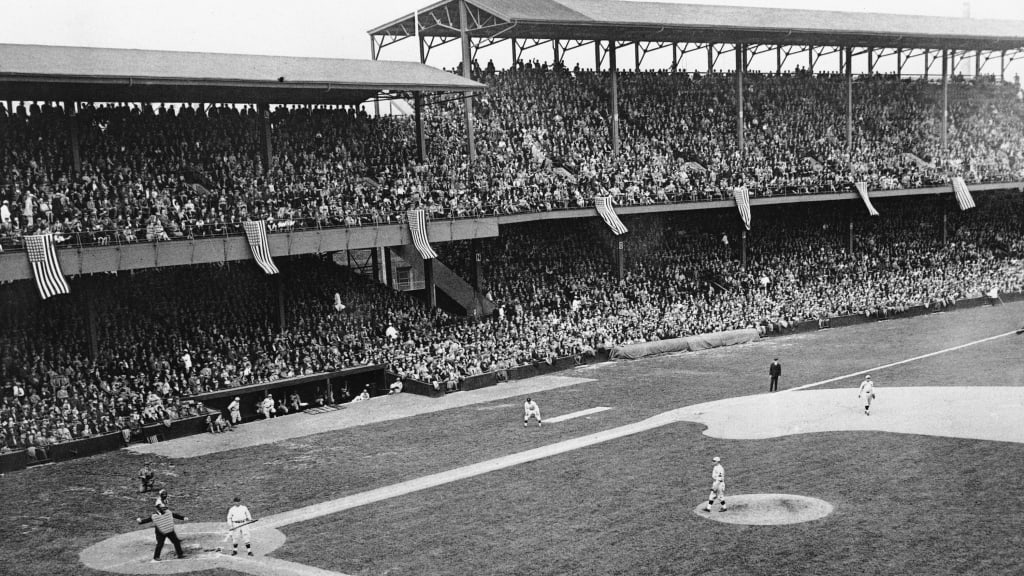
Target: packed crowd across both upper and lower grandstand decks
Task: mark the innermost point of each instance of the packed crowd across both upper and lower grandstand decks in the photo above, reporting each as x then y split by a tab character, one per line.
153	174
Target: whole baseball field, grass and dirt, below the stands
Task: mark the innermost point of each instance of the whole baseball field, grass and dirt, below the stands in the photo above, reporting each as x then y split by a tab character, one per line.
931	483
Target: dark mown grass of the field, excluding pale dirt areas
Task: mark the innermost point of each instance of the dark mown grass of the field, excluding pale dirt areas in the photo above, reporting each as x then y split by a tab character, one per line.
904	504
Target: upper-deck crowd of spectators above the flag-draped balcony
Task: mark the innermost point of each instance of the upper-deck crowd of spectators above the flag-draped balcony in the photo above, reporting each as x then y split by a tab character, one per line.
153	174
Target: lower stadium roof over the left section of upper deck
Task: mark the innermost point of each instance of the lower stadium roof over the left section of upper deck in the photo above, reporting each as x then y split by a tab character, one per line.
63	73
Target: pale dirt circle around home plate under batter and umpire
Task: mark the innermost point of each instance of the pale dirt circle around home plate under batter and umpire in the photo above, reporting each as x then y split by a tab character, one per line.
133	553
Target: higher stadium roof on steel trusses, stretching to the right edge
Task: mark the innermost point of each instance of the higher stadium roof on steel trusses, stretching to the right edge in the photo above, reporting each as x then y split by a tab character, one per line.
618	20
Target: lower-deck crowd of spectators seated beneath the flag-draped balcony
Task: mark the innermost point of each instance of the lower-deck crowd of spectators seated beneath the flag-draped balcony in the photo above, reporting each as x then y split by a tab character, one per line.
166	335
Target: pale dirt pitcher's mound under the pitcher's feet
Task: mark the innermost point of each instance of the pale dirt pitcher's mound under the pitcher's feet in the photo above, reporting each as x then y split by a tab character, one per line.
767	510
